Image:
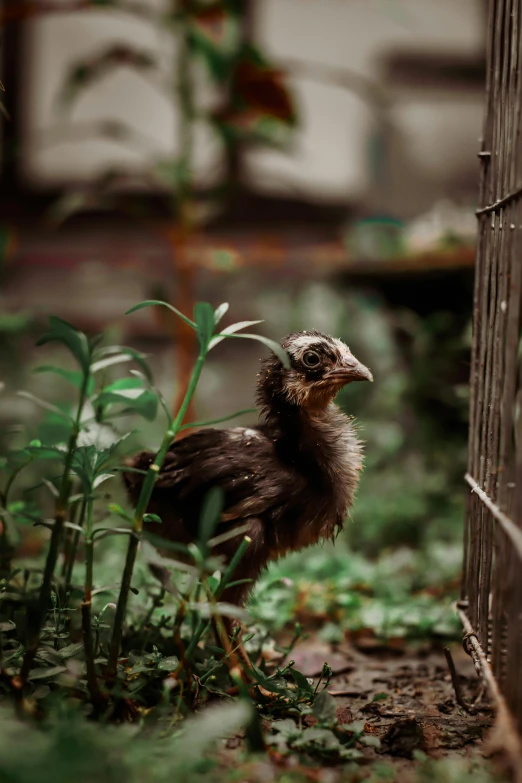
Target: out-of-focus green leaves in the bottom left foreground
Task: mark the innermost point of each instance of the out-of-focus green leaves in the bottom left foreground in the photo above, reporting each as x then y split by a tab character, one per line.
72	748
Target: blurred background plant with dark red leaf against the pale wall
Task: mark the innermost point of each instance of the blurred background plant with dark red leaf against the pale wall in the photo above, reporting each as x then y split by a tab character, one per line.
216	78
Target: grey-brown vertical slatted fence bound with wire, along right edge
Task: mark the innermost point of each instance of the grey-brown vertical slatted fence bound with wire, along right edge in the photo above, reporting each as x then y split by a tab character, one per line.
492	582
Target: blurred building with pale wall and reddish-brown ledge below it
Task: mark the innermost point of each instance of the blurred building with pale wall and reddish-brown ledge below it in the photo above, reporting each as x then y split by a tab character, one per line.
389	100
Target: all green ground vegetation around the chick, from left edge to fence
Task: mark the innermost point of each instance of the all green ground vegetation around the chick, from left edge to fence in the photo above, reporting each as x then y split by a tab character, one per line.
103	667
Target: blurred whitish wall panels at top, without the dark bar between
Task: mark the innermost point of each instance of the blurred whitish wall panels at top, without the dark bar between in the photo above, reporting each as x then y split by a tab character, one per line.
328	159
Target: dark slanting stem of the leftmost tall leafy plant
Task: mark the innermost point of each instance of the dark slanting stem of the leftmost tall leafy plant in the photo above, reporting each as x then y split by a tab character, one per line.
38	614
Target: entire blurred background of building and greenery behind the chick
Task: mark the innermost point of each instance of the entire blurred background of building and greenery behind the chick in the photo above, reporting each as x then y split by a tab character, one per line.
311	163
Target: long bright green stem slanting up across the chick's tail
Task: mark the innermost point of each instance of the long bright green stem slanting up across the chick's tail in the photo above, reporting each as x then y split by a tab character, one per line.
137	523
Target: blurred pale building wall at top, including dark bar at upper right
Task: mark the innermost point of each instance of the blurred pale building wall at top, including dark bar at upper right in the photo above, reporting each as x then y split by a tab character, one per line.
405	75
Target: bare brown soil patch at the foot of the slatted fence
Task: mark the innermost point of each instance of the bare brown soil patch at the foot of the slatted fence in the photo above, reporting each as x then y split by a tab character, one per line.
415	706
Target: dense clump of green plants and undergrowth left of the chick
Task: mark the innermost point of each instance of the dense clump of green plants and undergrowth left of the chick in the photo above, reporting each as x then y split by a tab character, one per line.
63	648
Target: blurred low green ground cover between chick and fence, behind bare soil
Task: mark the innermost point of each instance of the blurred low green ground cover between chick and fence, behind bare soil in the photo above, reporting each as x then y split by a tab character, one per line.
389	597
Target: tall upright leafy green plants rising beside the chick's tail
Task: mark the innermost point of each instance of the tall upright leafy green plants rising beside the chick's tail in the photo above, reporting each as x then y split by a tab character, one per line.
82	467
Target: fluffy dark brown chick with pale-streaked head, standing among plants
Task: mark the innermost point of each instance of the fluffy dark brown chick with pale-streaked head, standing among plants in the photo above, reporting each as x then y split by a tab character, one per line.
291	480
